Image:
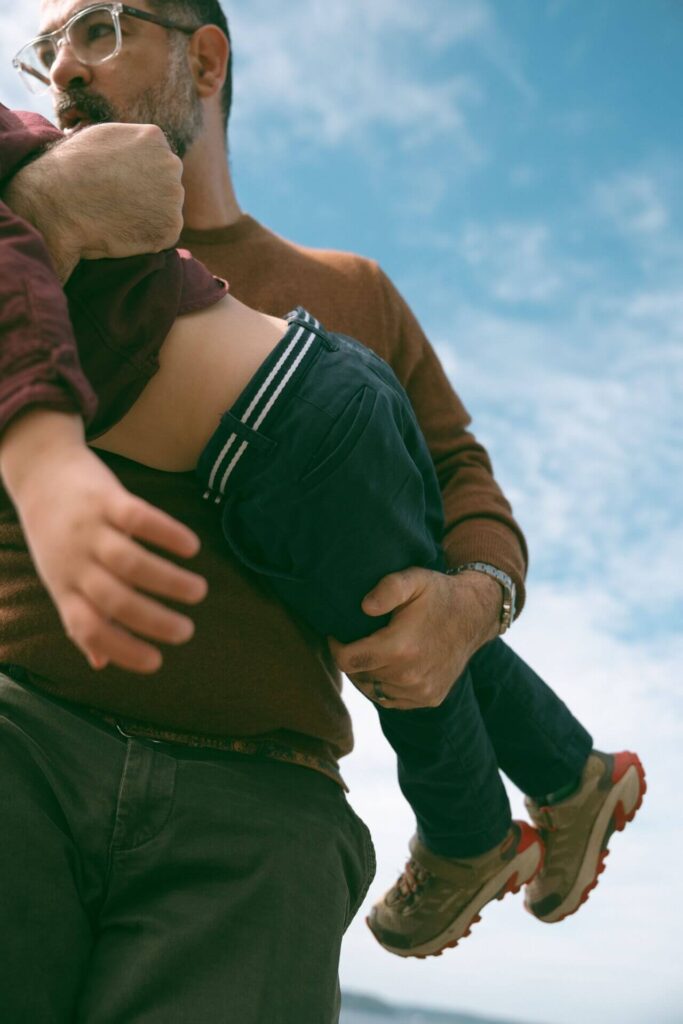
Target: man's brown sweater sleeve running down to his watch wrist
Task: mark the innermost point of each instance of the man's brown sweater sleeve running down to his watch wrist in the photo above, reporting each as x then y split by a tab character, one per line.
480	525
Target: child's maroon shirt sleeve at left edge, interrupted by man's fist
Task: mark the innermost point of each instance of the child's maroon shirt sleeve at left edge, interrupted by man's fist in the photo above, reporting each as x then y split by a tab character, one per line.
38	358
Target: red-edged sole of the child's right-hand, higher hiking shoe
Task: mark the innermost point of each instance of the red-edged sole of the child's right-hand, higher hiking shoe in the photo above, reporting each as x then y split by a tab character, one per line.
620	808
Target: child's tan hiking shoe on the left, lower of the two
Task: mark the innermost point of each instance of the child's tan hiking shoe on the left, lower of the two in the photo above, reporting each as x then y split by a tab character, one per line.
438	900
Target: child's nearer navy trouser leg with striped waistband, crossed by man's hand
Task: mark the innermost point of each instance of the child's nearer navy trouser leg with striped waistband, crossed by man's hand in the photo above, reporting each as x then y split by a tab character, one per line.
324	527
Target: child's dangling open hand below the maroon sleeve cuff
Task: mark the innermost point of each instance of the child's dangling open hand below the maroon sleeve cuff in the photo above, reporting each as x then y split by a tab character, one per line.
79	524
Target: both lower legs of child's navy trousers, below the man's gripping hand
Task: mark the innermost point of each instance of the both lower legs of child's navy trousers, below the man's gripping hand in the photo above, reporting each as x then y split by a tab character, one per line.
499	715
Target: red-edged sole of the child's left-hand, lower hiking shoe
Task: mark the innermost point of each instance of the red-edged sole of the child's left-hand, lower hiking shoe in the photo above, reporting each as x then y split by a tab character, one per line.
527	864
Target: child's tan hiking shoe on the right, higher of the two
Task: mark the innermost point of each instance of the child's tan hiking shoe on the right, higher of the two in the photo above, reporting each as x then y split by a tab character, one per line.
576	833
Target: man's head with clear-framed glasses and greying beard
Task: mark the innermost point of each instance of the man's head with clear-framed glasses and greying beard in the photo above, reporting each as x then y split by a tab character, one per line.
172	75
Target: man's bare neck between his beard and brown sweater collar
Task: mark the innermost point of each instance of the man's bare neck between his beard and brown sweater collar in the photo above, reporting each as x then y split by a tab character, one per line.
210	200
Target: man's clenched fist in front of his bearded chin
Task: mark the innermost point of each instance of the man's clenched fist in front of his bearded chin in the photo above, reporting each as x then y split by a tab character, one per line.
108	192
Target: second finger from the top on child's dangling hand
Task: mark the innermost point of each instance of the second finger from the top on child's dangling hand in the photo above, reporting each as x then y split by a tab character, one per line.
146	571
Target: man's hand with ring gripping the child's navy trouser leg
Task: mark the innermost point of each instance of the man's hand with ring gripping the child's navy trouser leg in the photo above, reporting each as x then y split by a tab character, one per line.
438	625
